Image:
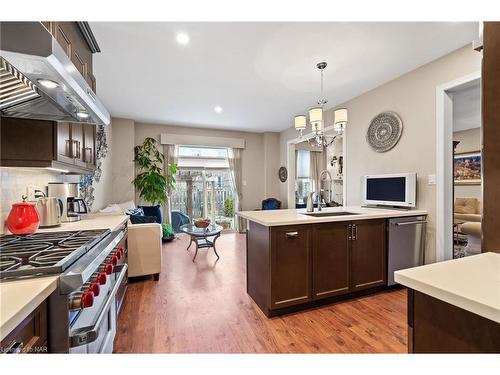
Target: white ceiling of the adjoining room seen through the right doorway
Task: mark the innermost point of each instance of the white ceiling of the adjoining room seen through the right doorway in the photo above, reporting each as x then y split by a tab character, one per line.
467	108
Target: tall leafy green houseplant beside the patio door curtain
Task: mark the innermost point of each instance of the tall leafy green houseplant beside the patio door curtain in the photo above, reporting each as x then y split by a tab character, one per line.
153	184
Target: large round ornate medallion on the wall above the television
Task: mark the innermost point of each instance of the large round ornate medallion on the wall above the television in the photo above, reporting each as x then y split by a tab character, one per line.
384	131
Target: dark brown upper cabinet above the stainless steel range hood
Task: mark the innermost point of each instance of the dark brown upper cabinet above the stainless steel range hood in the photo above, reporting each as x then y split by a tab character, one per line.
72	41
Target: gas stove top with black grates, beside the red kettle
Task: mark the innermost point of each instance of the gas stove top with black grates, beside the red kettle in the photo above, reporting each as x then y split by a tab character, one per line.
44	253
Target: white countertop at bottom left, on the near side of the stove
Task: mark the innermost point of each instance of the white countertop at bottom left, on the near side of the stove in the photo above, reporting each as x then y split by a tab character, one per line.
19	298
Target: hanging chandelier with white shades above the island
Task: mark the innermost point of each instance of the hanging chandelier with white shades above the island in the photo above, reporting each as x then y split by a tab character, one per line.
316	119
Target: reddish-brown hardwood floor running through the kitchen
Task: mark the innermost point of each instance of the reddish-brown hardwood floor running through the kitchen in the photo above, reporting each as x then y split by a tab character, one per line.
203	307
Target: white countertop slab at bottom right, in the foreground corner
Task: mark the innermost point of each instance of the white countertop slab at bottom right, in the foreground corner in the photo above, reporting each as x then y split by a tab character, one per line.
471	283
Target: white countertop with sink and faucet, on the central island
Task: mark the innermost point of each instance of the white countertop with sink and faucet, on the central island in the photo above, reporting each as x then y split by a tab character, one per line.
292	216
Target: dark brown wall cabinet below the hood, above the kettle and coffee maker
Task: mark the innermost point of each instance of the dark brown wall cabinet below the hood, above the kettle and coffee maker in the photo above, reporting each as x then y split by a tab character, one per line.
36	143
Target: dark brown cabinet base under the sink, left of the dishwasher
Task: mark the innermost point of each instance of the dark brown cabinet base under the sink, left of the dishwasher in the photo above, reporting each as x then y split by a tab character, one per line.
298	266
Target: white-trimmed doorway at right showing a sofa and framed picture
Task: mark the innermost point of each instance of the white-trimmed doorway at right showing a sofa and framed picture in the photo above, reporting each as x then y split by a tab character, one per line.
458	125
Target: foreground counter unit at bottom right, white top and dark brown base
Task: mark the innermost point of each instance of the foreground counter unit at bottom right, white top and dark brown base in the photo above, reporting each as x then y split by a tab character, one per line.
454	306
